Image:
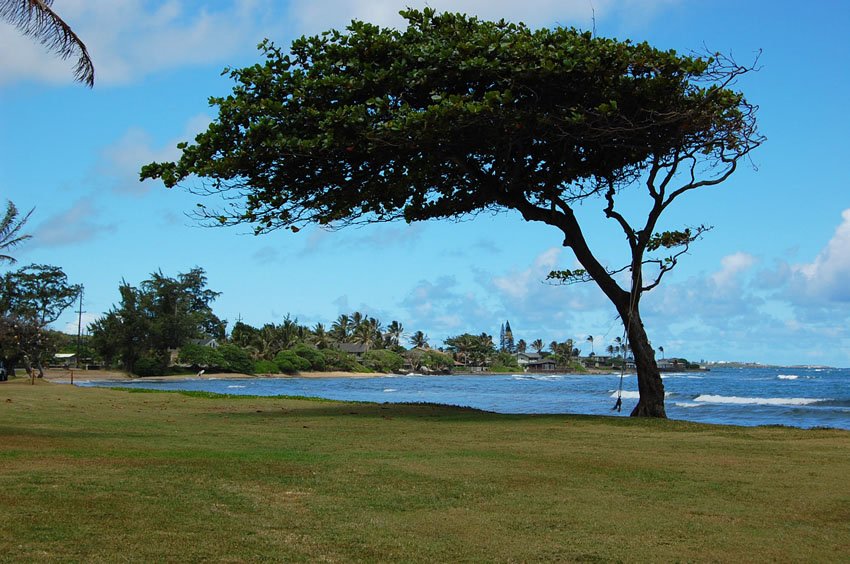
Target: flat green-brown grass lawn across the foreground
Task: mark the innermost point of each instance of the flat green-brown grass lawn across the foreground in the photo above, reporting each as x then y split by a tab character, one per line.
111	475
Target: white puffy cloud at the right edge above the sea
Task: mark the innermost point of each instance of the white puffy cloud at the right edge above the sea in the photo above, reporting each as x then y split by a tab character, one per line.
828	276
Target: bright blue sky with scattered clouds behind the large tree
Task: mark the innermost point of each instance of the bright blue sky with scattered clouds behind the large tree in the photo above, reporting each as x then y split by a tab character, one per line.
770	283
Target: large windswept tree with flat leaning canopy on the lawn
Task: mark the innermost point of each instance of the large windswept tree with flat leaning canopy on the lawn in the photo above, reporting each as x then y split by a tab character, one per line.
455	116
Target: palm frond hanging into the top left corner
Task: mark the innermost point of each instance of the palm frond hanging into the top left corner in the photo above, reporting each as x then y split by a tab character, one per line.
36	19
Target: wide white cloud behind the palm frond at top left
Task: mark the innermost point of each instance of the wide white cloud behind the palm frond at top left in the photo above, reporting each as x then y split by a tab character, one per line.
129	39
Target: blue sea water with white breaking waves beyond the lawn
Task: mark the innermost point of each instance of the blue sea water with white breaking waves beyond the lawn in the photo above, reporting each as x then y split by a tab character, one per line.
798	397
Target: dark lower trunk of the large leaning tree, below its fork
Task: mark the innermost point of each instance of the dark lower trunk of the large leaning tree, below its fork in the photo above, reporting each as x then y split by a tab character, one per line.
650	385
